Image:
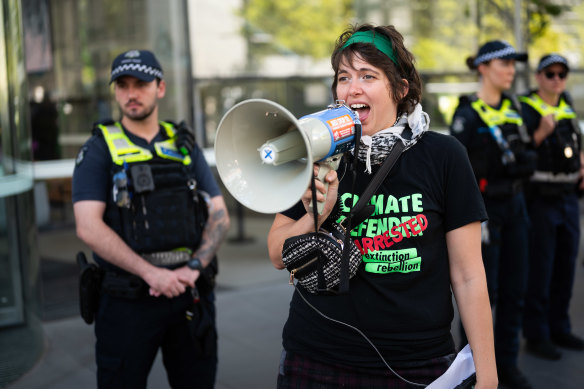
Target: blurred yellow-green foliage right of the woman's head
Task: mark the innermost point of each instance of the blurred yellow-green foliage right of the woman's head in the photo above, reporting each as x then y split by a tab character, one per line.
450	30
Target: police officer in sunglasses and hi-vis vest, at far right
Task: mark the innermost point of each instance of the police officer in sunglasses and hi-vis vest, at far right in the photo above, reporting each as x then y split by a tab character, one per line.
553	210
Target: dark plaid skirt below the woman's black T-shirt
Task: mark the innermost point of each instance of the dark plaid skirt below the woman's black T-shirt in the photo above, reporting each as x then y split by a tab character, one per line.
300	372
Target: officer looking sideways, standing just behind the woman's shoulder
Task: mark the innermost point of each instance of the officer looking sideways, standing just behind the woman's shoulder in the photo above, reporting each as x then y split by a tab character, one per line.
490	126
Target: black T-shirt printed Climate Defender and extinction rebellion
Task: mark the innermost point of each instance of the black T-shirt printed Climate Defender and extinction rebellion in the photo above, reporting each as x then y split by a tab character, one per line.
400	297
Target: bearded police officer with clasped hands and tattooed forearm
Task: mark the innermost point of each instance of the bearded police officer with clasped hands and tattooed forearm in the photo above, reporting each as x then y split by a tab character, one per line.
146	203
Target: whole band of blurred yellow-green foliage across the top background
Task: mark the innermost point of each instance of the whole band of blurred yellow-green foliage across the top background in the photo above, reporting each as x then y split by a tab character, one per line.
443	32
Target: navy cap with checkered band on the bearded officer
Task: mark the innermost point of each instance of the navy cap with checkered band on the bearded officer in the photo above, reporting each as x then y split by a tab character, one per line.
141	64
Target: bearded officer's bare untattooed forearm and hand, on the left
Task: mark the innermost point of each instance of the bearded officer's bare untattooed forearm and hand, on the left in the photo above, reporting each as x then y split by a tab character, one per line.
104	241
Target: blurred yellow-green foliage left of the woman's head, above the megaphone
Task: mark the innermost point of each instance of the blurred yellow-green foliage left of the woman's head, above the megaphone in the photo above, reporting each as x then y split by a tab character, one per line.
298	26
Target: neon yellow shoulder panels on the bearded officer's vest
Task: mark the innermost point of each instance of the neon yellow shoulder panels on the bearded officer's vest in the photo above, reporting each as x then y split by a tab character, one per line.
122	149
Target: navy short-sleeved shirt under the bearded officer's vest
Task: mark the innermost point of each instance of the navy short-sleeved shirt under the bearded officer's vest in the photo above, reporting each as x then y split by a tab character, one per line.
92	176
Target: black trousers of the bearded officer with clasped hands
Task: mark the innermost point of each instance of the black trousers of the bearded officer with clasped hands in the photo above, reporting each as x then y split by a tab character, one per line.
130	333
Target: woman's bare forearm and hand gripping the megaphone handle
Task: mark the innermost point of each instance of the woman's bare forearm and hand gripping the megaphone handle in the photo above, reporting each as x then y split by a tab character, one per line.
283	227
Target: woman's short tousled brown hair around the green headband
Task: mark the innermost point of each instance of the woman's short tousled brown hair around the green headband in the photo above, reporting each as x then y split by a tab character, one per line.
396	73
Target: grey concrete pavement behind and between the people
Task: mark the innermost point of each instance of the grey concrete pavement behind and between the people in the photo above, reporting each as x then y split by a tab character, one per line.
252	306
